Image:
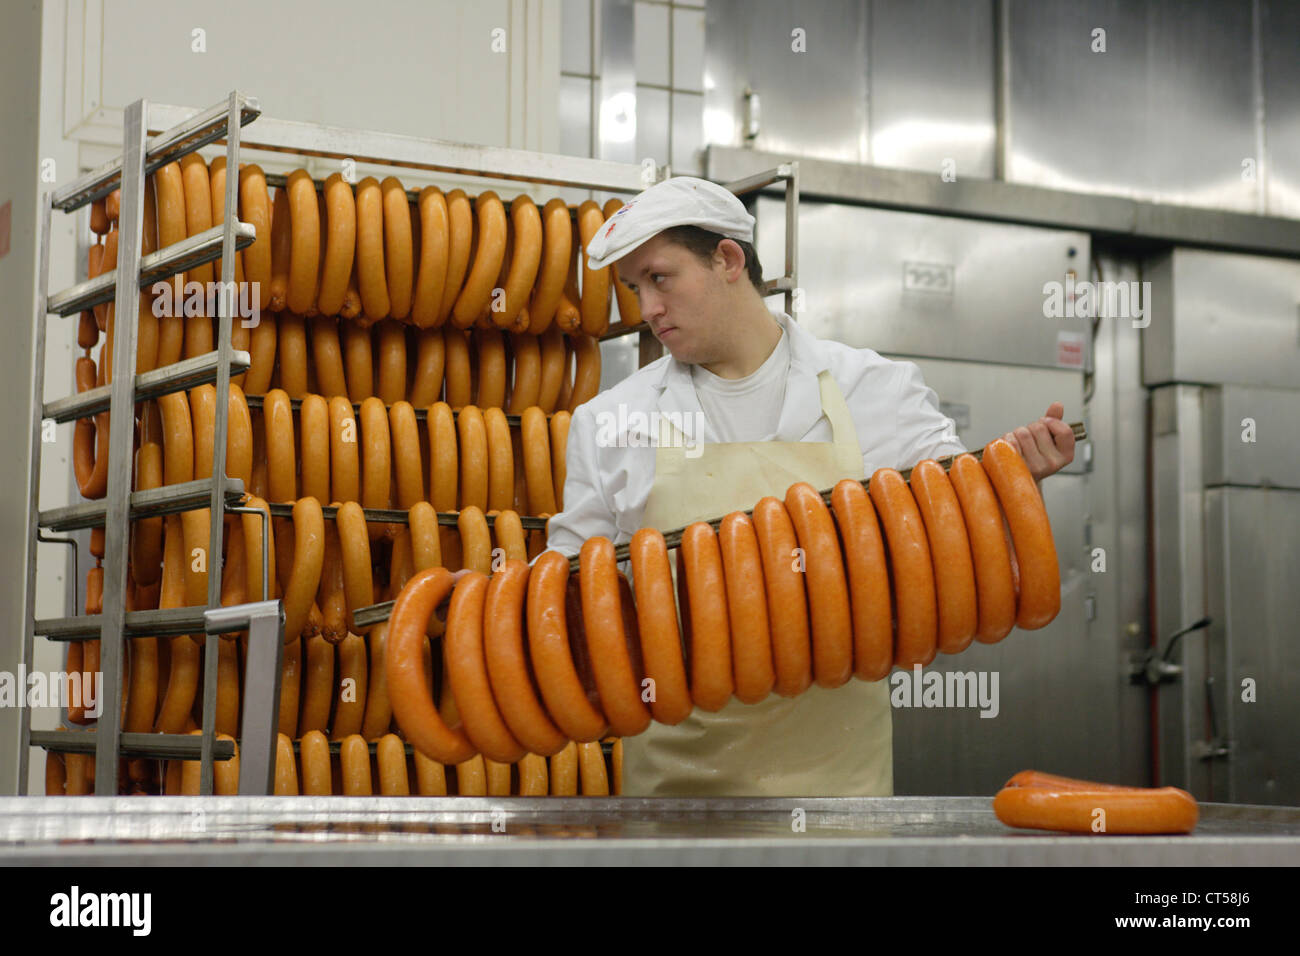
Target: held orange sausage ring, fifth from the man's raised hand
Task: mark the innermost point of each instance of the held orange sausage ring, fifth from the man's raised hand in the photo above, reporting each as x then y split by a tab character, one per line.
869	581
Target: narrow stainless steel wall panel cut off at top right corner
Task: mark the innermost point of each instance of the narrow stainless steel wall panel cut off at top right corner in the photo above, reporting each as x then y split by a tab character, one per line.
1279	38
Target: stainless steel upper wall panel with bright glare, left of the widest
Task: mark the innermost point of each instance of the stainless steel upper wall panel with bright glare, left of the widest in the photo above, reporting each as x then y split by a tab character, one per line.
931	85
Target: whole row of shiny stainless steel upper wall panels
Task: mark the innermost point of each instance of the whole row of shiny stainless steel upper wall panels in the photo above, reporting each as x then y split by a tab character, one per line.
1191	102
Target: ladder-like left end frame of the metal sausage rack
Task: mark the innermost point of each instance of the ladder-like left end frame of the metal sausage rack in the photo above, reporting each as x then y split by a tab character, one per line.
141	157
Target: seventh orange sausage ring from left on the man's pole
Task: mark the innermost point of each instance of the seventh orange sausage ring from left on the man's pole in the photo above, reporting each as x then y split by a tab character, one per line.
703	596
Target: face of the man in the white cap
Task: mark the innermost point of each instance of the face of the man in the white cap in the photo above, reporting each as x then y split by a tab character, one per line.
683	300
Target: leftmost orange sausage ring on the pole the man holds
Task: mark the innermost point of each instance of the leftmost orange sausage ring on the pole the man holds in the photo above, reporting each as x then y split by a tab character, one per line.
413	702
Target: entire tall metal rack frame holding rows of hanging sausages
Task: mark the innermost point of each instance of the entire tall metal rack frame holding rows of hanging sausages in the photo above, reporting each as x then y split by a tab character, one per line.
179	131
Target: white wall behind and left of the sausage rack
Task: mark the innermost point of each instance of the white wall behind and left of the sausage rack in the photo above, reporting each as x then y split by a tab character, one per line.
424	68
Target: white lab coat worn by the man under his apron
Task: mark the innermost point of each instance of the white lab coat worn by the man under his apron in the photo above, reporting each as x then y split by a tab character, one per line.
610	460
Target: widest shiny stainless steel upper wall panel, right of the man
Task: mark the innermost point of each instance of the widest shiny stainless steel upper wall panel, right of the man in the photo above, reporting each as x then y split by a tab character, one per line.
1165	114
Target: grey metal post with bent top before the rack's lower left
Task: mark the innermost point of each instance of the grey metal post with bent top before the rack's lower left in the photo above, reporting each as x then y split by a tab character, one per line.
258	746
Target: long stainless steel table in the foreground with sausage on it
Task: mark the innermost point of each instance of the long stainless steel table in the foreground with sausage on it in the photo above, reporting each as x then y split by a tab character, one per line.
592	832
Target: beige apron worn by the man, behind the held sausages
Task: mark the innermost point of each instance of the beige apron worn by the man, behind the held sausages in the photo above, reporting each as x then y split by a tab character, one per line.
821	743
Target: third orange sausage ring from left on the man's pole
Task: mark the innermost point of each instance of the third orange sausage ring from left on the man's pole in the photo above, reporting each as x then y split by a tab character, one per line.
508	665
